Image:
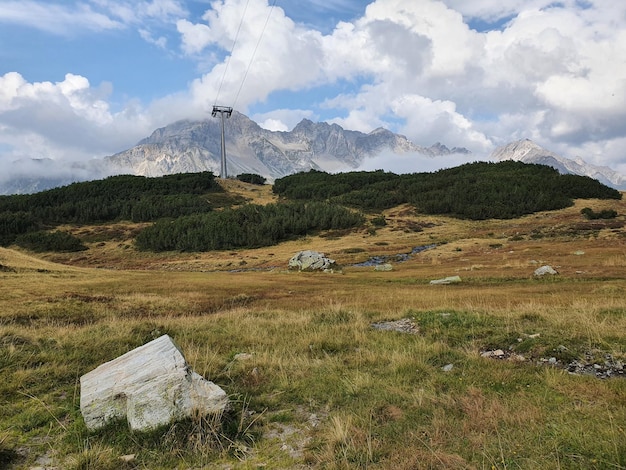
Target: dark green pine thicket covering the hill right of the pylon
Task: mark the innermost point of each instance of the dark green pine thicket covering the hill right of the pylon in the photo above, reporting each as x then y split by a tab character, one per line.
477	191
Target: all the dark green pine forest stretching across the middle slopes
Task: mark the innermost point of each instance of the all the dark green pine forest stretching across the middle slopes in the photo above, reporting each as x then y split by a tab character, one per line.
182	205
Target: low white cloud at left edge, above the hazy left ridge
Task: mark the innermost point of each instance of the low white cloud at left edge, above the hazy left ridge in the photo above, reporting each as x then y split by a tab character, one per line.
66	120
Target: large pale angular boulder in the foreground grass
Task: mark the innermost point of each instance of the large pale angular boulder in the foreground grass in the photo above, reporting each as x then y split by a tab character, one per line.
150	386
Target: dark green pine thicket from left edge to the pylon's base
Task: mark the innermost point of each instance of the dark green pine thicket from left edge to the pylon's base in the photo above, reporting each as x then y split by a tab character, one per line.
125	197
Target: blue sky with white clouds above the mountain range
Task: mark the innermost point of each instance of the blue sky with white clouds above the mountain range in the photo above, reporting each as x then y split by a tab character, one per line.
83	79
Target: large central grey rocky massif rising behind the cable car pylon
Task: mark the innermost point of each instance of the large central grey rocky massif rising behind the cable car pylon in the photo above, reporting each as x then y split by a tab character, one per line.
191	146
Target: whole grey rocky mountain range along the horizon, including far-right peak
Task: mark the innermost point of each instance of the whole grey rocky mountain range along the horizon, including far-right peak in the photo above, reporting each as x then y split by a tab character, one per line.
193	146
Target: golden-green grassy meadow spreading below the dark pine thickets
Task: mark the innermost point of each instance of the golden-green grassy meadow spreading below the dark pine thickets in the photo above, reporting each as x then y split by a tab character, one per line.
313	384
